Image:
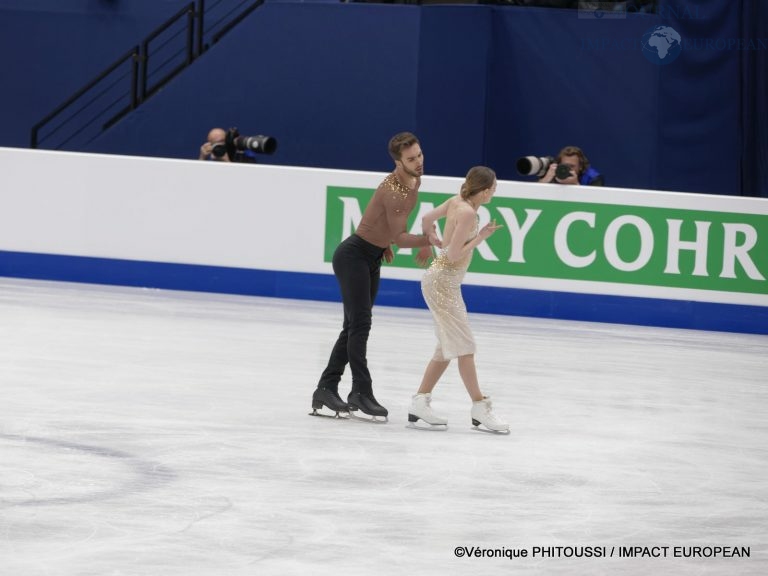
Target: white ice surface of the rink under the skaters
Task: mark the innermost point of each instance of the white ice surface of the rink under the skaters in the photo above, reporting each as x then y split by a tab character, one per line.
164	433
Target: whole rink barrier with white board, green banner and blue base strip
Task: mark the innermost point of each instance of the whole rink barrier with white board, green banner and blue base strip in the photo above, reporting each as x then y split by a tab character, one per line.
565	252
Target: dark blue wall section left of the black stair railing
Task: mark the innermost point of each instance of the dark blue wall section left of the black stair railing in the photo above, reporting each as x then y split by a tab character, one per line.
51	48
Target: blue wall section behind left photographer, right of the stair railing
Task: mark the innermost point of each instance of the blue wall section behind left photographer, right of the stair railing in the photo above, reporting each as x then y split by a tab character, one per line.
331	82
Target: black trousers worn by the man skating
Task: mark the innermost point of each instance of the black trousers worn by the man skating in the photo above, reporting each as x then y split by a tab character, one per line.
357	266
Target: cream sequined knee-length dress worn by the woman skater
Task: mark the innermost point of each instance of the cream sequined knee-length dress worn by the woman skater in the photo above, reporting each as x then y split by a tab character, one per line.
441	287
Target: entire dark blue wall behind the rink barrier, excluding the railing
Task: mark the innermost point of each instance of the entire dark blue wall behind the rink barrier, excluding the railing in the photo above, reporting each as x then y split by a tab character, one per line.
479	84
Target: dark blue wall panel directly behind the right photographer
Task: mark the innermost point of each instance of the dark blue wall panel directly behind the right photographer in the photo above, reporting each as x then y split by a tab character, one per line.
557	80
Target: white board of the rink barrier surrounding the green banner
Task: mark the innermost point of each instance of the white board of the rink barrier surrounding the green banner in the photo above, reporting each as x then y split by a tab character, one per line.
255	217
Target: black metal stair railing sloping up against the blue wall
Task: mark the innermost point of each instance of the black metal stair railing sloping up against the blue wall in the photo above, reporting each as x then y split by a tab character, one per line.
139	74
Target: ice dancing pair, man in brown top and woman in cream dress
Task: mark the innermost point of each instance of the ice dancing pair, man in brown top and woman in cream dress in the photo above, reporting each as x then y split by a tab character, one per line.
356	265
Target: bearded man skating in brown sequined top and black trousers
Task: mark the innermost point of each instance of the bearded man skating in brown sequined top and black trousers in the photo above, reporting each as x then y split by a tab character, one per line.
357	266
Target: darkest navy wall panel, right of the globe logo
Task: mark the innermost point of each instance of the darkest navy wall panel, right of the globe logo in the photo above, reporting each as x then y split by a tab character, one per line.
699	143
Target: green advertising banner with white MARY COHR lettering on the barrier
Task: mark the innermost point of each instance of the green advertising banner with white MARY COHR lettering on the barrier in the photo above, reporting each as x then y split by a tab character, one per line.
641	245
